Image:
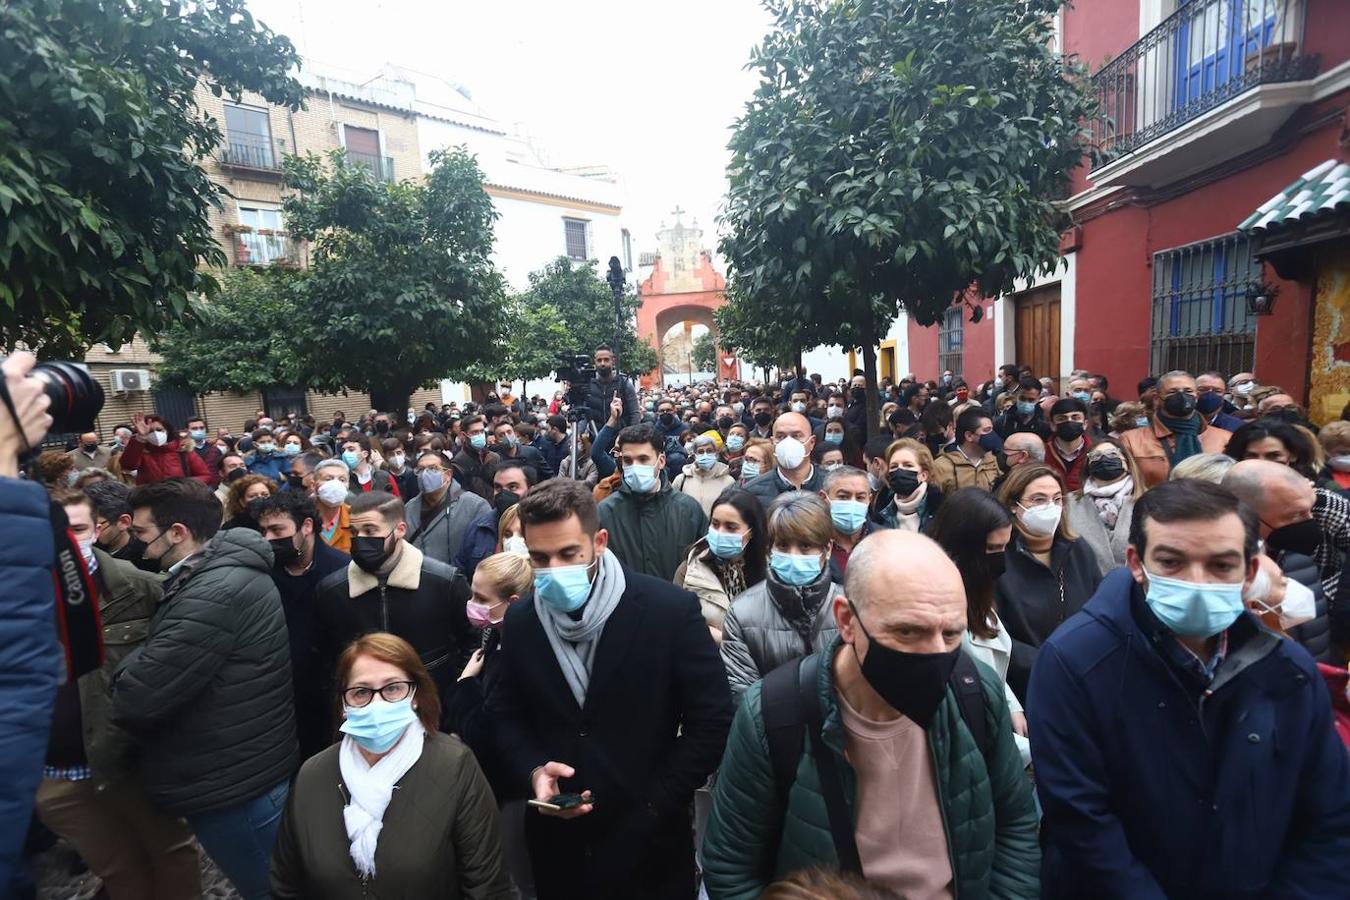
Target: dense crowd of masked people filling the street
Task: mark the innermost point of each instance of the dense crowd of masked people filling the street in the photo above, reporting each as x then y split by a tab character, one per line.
726	640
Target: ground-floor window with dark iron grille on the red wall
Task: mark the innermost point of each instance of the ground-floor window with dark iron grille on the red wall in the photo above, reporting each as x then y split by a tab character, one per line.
1201	319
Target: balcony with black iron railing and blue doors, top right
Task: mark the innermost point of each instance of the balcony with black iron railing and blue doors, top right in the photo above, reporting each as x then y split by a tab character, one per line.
1214	80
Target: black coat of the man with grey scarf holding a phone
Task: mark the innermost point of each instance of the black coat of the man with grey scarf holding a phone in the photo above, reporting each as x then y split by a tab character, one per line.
651	732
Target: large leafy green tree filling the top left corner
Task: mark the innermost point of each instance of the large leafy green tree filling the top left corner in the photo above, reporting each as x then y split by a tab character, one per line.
103	206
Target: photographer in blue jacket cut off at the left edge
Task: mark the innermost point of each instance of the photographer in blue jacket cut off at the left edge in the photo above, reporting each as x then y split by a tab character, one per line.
30	655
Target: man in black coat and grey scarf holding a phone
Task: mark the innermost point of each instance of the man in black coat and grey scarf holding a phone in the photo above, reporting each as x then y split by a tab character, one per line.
610	687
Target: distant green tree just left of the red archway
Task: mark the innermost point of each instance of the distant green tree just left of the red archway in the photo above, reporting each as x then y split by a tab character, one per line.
587	304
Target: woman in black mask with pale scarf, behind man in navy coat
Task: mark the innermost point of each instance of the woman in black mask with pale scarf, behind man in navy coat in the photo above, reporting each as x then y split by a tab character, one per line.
1101	511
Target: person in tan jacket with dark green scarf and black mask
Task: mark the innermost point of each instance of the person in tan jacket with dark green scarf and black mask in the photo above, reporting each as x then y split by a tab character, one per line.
1177	431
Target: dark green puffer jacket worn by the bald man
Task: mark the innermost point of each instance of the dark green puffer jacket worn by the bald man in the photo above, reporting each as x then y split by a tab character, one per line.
992	824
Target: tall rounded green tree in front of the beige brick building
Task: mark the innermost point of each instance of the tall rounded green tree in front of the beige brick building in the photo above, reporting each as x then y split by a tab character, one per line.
402	291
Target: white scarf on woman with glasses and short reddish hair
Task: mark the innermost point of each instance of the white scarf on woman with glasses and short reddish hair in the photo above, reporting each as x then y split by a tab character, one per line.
372	787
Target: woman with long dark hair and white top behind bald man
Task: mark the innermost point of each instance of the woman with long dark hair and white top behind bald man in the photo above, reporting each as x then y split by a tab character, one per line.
975	530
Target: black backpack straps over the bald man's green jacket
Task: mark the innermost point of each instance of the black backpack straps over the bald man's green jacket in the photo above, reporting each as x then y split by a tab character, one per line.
790	705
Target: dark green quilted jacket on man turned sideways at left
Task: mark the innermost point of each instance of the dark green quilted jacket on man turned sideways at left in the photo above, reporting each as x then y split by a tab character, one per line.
209	696
